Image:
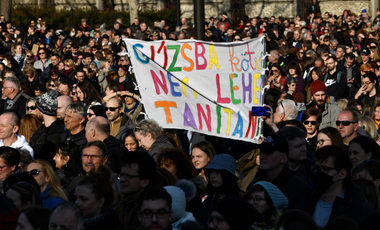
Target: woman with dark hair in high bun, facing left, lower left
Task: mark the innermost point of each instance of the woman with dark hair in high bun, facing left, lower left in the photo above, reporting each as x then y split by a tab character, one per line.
95	196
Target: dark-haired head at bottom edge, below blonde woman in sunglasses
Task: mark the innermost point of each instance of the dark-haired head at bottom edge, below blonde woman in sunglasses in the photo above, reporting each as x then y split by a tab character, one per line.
37	217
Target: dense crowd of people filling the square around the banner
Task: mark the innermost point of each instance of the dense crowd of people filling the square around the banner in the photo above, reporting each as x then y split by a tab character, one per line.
76	150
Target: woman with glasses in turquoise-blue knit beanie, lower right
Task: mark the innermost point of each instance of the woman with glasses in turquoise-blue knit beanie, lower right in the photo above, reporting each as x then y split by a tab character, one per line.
269	201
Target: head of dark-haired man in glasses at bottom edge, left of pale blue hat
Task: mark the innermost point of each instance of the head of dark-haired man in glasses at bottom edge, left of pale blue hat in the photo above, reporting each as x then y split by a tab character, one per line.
155	209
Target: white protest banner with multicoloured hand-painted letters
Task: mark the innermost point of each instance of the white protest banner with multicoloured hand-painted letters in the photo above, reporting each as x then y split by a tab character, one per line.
201	86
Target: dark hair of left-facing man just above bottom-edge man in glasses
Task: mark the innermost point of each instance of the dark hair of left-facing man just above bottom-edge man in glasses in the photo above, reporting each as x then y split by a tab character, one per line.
147	165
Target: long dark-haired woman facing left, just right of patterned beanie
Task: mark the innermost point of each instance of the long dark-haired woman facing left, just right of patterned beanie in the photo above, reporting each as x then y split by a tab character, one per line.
87	94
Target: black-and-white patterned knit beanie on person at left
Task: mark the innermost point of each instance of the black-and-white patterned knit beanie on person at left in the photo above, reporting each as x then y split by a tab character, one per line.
47	103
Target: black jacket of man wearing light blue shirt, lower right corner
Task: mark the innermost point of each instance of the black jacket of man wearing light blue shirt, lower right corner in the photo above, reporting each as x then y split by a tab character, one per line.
353	206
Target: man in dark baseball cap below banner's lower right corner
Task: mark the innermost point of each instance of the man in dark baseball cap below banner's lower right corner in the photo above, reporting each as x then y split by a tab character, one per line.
274	152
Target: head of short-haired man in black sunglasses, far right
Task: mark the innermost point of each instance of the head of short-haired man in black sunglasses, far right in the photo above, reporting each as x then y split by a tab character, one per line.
347	125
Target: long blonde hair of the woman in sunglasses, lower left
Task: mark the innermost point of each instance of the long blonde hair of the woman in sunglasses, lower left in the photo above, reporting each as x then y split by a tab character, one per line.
55	185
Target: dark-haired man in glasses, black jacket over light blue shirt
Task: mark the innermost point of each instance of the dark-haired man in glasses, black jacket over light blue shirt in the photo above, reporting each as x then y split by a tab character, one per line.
334	193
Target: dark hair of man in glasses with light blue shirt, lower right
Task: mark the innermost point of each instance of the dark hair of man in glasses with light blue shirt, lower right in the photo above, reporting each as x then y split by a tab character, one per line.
340	157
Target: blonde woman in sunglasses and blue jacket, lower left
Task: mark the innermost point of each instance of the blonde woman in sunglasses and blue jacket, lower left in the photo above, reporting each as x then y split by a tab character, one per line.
52	193
